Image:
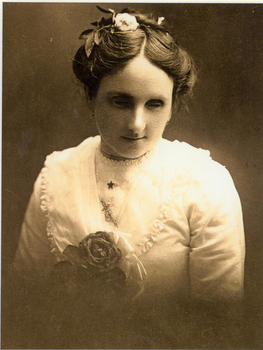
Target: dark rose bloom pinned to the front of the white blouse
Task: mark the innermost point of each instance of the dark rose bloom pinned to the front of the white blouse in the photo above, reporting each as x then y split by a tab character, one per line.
100	251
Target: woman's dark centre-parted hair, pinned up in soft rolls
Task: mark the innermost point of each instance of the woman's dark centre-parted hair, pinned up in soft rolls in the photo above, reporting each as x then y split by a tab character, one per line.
117	48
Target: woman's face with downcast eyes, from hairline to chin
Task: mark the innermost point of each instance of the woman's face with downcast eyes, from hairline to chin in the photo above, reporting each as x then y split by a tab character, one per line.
132	108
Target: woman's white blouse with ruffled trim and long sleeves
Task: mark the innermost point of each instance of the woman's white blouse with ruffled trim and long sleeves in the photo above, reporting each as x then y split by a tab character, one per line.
175	207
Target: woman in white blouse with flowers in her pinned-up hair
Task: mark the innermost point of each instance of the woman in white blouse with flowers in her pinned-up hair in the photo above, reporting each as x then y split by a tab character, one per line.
171	213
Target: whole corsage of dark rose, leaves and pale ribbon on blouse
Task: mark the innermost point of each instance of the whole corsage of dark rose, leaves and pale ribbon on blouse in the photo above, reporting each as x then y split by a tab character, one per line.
103	267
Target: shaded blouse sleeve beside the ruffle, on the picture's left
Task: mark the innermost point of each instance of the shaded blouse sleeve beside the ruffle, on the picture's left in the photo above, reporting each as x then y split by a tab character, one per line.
33	257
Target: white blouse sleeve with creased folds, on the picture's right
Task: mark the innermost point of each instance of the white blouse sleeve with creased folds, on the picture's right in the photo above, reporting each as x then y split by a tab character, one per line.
217	248
